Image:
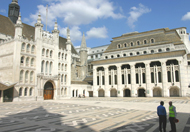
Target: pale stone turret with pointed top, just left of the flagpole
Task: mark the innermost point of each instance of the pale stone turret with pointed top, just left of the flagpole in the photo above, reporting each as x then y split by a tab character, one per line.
38	28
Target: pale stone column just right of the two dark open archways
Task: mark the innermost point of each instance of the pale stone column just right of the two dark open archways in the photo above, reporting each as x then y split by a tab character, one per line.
148	80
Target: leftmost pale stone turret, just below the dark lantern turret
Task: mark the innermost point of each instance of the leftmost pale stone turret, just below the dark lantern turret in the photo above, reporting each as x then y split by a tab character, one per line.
18	28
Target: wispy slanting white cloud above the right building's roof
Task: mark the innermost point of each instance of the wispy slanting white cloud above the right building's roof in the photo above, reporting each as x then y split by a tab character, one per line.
135	13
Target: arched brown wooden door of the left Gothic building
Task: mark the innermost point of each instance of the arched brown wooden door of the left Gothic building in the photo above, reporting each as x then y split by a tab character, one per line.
48	91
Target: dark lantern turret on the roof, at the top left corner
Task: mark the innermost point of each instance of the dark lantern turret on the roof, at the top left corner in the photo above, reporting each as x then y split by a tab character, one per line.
14	10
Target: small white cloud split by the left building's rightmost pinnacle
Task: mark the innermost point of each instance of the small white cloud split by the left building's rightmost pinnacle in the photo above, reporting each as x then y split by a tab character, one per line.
75	33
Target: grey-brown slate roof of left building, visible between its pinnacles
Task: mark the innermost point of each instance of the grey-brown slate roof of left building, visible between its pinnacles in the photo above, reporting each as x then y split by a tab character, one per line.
7	27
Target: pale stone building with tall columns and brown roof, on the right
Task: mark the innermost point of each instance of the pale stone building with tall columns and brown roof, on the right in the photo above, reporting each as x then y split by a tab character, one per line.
148	64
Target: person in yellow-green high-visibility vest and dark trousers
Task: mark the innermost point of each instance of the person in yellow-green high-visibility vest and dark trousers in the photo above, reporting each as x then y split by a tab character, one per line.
172	116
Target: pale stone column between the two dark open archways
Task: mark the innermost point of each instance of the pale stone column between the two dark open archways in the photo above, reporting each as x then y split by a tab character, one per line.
133	80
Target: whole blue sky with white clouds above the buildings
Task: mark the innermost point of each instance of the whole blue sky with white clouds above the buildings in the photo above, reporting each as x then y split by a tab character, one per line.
101	20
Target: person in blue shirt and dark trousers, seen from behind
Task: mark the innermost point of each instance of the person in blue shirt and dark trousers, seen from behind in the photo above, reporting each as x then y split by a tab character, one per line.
161	112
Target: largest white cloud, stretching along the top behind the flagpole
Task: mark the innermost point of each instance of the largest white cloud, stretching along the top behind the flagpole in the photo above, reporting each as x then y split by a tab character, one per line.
76	12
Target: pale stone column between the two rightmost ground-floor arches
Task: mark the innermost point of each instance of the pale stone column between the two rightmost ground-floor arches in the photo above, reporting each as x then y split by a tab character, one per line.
164	80
